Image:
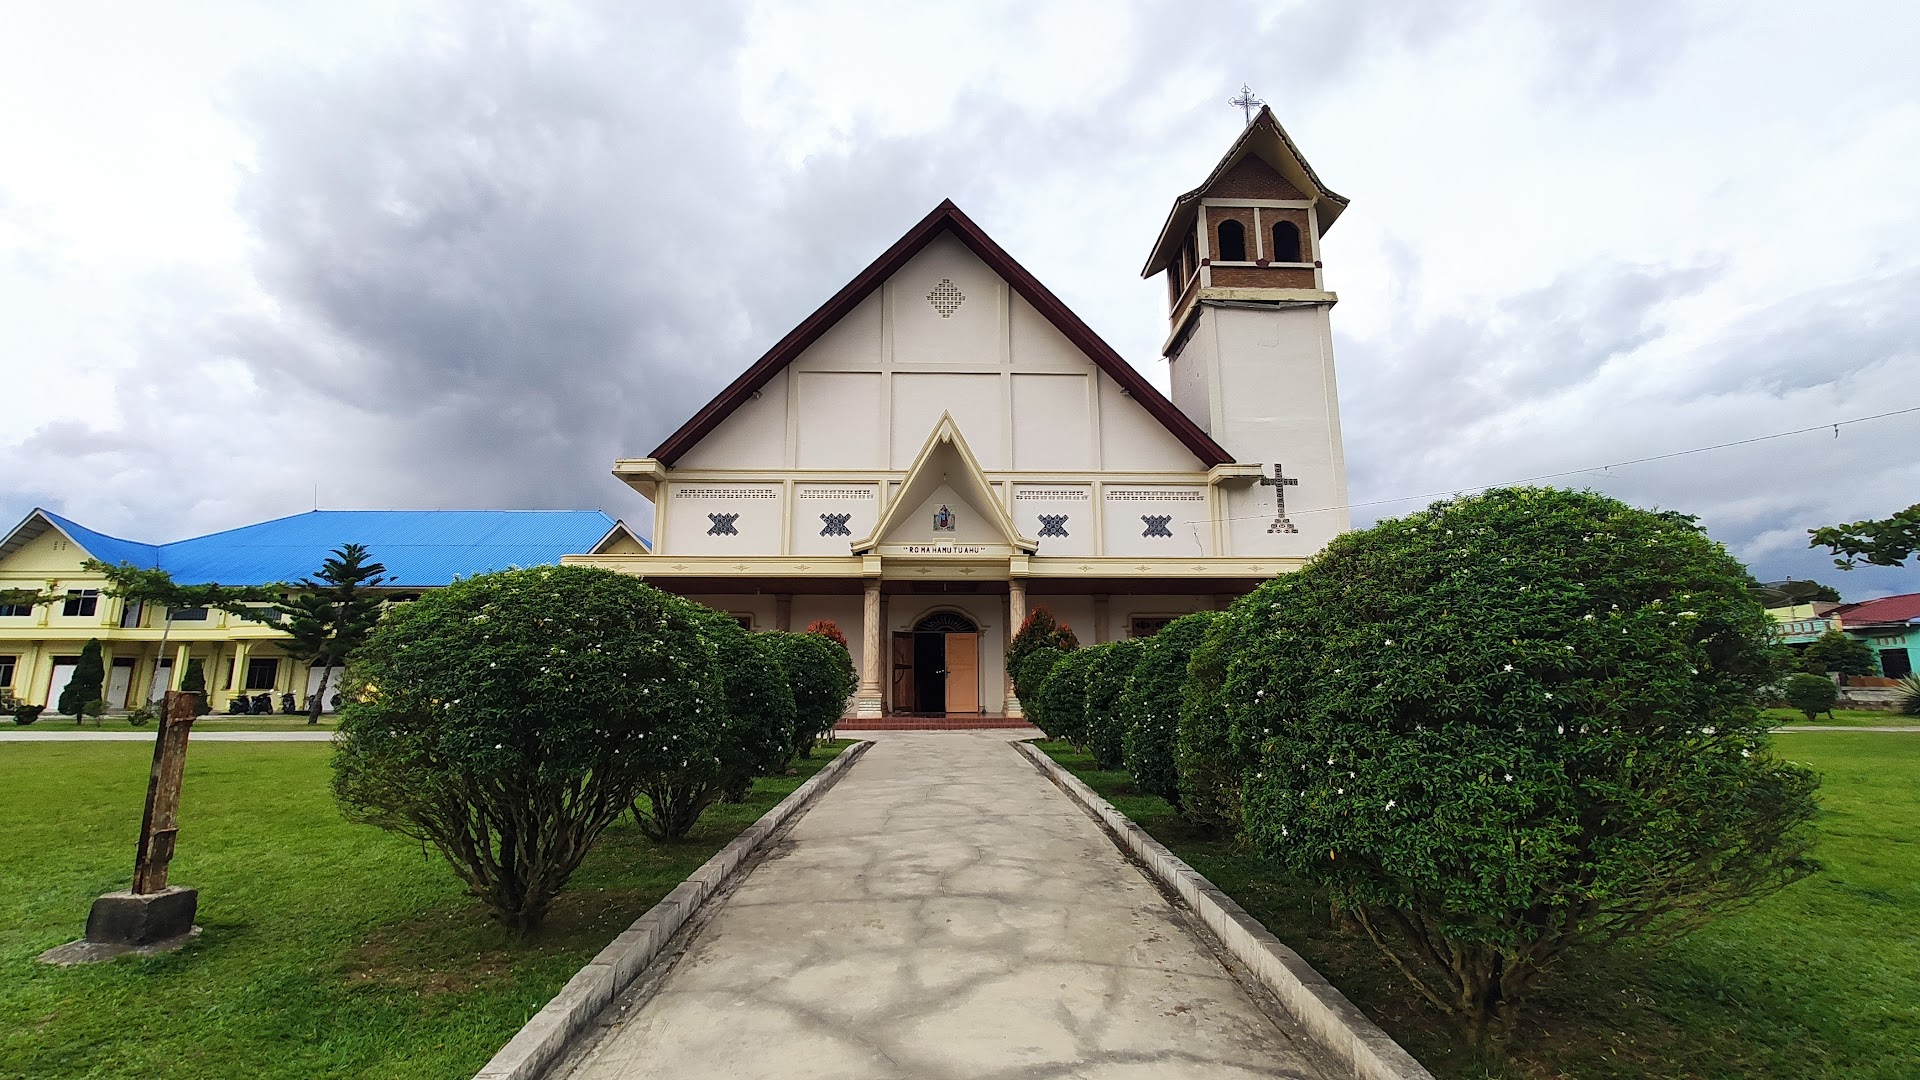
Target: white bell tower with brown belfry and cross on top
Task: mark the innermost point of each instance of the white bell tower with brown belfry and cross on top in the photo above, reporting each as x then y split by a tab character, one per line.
1251	343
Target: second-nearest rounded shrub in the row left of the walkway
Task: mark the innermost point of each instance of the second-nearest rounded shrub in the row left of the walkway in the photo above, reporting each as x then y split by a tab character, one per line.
754	735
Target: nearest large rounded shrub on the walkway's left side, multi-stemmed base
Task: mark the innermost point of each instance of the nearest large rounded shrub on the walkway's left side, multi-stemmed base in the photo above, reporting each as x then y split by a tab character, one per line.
508	720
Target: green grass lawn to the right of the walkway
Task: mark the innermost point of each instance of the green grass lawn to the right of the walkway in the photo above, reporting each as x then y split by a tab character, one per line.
1817	981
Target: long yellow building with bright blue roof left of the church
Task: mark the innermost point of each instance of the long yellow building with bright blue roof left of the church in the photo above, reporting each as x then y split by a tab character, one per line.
45	554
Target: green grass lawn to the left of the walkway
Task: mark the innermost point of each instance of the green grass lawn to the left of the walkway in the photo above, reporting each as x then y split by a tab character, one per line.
329	948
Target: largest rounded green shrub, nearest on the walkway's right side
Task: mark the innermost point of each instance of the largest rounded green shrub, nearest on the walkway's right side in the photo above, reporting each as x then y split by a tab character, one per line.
1512	725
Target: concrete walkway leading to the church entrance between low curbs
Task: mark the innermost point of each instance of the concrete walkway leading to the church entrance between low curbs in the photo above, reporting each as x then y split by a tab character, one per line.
946	912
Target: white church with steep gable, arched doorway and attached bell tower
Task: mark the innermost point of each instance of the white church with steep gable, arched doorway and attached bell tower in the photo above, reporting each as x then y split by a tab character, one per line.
946	445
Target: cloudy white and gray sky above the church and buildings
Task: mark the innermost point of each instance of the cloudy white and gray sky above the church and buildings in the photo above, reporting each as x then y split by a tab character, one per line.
468	255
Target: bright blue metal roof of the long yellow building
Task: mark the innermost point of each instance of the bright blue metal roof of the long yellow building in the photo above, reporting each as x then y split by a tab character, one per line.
421	549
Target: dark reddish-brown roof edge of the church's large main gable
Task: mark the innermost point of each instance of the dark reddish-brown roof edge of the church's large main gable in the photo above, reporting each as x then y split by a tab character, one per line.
946	218
